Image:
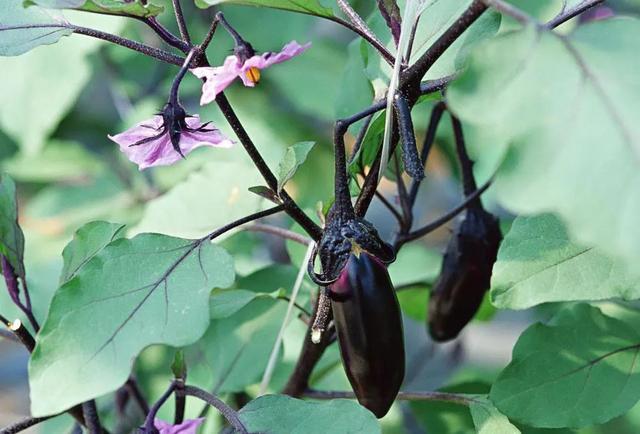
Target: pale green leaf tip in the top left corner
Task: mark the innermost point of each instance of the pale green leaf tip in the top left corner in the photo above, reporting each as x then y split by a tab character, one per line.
17	34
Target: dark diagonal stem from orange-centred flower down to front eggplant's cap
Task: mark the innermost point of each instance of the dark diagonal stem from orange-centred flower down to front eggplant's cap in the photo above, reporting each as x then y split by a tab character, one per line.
291	208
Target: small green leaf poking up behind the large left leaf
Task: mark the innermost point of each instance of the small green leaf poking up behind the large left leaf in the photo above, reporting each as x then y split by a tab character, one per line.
87	242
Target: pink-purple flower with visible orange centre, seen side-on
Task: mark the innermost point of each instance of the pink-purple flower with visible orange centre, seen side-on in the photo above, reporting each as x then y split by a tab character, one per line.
248	69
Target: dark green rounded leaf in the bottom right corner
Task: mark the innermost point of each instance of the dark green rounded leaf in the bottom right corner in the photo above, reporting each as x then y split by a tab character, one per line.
579	370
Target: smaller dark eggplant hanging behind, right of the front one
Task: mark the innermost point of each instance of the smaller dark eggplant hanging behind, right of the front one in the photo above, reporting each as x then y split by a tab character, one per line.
465	275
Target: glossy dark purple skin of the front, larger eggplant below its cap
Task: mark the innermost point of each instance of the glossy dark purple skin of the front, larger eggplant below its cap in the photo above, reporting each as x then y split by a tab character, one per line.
369	327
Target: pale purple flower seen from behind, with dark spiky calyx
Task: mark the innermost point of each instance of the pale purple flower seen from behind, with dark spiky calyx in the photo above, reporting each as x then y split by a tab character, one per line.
167	137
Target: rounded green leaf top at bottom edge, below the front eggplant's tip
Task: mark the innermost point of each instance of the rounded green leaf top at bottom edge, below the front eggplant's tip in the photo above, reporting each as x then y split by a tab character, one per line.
274	414
